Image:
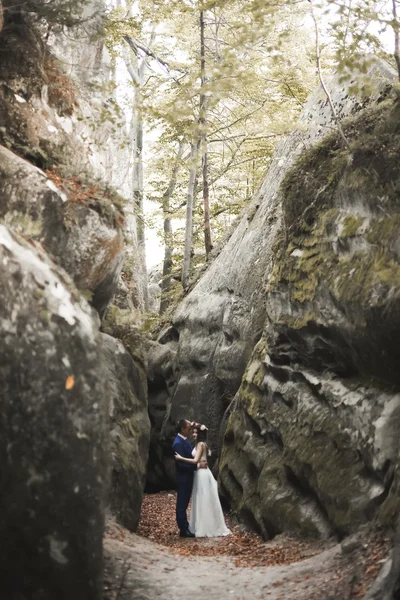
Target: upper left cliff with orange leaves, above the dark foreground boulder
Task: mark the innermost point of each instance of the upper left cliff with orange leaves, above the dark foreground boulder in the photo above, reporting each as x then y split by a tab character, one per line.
46	120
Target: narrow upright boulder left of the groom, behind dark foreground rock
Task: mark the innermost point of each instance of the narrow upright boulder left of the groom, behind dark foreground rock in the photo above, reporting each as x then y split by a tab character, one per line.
130	429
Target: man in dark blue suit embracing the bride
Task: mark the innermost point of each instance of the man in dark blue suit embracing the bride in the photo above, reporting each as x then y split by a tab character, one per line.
184	476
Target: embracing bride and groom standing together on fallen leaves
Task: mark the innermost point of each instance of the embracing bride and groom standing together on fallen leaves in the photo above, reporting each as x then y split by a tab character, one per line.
194	479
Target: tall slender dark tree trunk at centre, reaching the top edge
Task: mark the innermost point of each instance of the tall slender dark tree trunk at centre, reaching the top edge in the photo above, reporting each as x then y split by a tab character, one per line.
203	140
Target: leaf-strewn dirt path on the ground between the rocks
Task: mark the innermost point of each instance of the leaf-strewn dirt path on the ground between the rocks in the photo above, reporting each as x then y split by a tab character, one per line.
158	564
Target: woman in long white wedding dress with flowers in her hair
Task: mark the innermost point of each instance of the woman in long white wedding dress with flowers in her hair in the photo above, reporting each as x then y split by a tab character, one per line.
206	517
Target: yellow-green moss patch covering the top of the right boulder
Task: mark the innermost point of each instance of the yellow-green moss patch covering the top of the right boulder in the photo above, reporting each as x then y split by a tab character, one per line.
318	195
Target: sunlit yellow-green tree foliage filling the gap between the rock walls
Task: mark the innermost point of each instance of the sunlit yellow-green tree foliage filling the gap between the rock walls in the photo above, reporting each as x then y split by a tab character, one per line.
253	93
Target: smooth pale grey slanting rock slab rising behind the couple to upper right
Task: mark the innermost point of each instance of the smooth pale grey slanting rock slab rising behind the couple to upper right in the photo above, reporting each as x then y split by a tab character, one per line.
217	326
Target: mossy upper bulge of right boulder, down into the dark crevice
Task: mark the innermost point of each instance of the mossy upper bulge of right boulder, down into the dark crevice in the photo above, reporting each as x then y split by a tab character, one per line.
338	268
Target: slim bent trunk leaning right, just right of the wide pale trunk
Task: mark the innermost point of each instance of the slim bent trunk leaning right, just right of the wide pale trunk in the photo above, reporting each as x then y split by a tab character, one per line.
168	236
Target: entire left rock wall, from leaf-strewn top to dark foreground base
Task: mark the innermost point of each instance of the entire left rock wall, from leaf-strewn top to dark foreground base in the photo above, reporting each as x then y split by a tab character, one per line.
74	398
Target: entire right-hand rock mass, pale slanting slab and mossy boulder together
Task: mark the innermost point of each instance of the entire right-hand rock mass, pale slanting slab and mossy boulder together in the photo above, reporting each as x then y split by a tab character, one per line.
301	303
